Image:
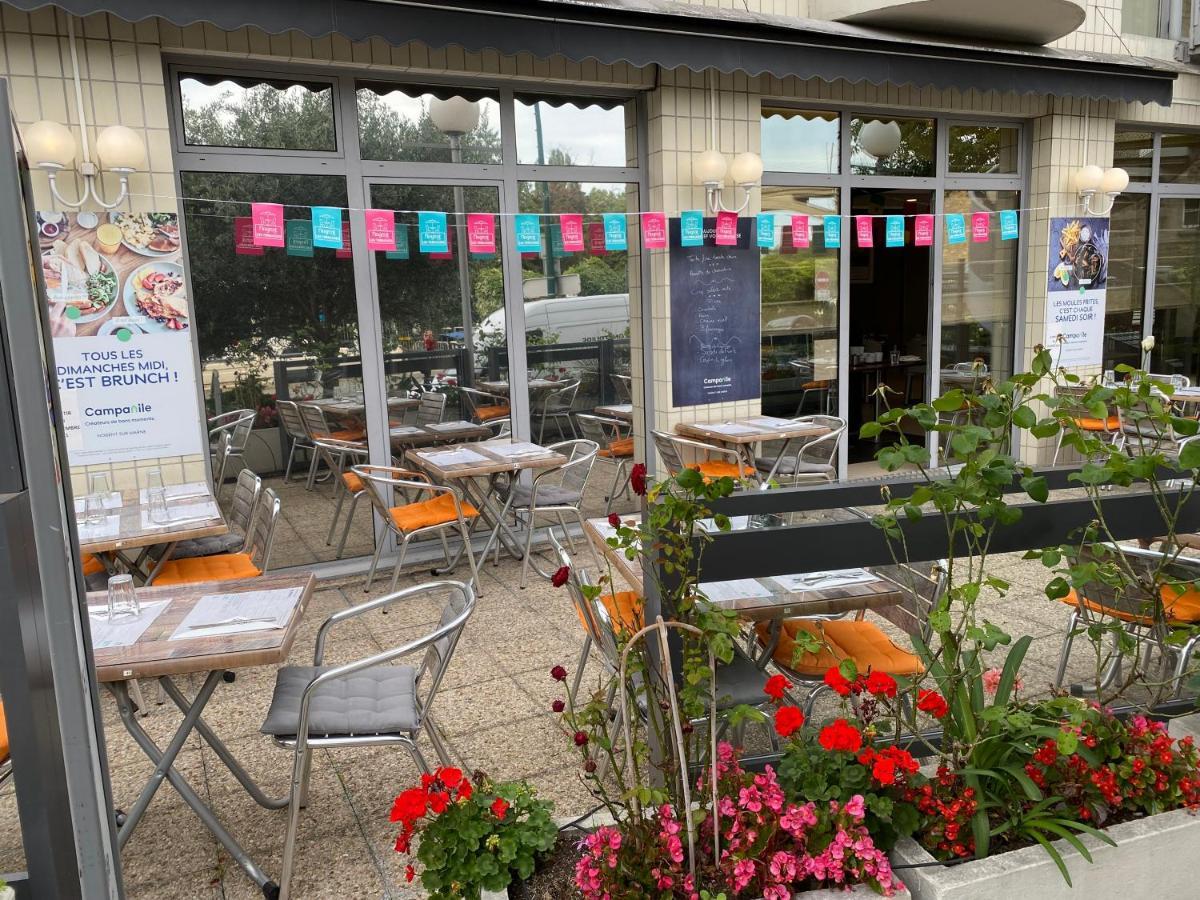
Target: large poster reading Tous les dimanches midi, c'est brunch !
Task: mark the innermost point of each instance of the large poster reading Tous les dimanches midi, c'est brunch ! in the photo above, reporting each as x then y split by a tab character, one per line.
123	334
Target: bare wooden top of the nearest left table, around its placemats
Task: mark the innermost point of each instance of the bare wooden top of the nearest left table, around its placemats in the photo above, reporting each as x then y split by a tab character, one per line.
155	655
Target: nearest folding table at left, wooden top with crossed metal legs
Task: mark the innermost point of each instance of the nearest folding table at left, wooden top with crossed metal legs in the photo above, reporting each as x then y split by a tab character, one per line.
153	655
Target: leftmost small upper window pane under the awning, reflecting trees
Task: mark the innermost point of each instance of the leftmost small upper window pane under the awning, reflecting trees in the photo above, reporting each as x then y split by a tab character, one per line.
255	112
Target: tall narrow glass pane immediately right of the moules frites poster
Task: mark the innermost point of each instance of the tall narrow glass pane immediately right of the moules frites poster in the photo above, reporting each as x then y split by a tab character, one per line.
1127	280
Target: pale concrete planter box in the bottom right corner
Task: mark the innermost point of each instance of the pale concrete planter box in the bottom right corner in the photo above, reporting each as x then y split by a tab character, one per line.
1155	859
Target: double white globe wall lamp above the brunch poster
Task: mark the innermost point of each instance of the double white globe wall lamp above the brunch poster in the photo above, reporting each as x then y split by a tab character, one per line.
51	147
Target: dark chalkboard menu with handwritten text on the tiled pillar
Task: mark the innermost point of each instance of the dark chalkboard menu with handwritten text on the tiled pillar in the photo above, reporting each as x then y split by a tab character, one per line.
716	335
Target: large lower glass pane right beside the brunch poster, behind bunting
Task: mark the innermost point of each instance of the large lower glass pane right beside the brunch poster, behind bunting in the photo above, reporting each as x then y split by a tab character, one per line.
274	327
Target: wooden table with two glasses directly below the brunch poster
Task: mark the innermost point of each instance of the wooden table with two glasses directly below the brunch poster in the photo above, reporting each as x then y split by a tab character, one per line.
194	513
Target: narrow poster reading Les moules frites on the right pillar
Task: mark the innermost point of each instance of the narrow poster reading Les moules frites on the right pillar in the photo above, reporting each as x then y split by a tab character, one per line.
1078	273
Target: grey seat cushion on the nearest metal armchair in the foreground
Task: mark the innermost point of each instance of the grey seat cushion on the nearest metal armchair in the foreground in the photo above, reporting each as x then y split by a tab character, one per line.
375	701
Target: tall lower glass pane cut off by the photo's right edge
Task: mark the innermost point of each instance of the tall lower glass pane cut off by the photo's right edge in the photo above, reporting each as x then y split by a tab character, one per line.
1178	290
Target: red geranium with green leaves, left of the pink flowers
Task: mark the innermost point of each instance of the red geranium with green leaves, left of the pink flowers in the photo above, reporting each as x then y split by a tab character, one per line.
475	835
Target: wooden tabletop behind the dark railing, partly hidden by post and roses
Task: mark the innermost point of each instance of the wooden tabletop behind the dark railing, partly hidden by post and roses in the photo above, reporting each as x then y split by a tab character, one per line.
782	603
